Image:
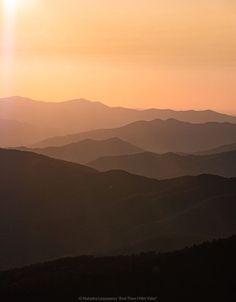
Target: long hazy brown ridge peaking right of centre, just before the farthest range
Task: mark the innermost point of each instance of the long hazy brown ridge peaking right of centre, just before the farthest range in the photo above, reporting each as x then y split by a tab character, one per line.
160	136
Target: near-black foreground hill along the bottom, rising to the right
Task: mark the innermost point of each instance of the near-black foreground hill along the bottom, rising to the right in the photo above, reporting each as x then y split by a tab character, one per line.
201	273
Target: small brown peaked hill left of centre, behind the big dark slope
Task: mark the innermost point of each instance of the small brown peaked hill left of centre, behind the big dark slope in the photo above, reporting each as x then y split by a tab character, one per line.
88	150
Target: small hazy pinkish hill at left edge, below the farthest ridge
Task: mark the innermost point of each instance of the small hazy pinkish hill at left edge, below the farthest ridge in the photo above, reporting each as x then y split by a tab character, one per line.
14	133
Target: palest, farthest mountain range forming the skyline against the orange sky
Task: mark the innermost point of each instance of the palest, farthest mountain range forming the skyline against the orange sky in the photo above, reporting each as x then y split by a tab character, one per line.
61	118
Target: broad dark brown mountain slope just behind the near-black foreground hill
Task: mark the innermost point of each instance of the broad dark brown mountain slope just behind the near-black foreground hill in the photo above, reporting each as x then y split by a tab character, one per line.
52	208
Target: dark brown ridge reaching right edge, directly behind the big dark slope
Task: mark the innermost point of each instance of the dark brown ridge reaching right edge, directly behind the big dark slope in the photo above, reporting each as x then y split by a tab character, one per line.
170	165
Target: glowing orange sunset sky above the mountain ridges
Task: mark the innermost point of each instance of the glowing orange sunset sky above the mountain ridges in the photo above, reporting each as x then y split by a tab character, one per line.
136	53
